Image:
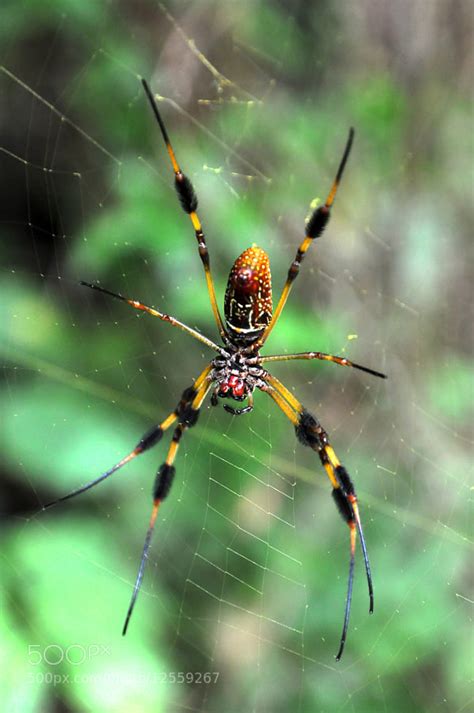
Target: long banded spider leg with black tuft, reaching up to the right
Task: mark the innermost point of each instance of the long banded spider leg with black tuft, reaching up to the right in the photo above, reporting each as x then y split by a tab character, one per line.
314	228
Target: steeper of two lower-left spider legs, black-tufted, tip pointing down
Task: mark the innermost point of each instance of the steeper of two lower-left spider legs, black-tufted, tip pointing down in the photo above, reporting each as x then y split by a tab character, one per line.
164	478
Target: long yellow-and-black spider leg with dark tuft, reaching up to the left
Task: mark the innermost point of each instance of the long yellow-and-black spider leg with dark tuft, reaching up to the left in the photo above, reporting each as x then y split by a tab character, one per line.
189	203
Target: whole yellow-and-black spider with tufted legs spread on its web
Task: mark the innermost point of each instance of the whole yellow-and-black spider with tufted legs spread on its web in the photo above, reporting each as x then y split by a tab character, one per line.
238	368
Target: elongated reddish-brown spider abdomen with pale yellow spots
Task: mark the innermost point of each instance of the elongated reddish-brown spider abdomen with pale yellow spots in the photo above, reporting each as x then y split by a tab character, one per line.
248	299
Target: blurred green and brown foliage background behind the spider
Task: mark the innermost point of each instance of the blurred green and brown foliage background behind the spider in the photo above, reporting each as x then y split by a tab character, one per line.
247	574
